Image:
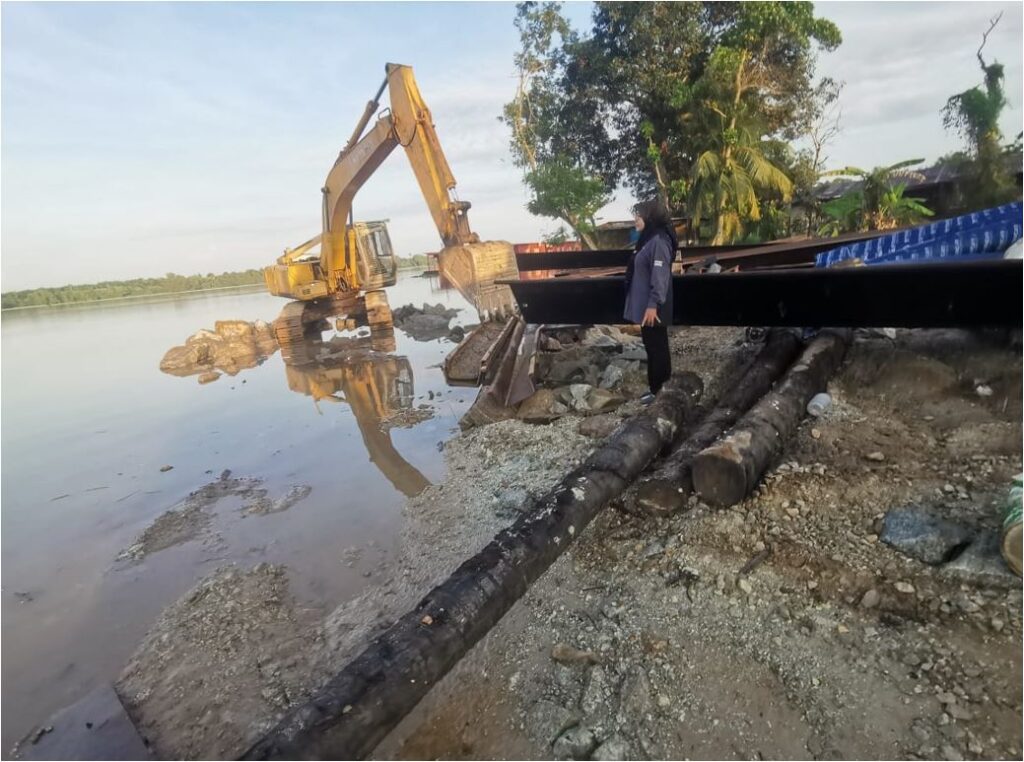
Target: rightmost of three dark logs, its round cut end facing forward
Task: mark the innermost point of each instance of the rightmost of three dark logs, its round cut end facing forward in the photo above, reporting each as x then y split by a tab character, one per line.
729	472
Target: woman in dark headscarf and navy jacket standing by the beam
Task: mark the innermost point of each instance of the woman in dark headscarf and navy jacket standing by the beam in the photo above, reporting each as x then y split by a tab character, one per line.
649	289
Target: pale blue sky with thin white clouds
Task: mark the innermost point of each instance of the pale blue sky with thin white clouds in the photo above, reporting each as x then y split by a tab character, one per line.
145	139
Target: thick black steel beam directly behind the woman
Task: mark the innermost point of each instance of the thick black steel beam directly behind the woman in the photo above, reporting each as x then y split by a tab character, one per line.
932	295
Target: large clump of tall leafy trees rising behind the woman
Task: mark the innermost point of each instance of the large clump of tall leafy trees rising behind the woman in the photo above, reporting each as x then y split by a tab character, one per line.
654	90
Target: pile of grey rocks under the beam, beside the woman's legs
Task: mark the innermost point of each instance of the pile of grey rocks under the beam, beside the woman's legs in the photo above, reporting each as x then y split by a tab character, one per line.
585	371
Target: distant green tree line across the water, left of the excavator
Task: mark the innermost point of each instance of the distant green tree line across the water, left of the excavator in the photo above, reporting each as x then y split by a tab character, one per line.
169	284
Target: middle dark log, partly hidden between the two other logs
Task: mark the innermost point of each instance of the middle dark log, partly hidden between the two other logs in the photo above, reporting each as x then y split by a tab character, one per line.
668	489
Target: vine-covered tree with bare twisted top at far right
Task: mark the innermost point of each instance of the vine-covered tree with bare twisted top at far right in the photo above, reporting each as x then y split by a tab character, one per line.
975	115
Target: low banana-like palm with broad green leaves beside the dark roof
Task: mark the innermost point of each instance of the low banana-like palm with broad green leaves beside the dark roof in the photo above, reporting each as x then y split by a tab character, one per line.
883	205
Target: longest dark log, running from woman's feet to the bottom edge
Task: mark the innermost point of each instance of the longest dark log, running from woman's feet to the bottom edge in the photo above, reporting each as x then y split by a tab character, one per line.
357	708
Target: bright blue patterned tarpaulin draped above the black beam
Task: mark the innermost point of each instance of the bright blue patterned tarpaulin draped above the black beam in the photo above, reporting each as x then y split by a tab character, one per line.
985	235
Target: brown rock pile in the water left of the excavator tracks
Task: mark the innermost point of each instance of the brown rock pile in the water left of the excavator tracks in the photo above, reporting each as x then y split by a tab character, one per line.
232	347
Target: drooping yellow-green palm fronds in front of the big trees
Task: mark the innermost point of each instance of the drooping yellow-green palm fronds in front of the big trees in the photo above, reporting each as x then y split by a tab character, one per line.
727	181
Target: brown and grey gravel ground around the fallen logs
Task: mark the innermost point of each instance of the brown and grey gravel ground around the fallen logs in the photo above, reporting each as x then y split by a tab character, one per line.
781	628
